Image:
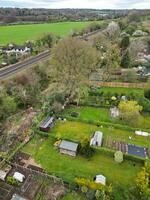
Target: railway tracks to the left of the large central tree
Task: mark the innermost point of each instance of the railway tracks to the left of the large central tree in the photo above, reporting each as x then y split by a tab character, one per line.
19	66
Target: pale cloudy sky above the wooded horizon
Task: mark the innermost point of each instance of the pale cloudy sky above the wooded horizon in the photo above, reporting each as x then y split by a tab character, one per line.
98	4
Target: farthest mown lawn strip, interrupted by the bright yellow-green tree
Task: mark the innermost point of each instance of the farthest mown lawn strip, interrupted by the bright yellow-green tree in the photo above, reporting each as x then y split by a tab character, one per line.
102	115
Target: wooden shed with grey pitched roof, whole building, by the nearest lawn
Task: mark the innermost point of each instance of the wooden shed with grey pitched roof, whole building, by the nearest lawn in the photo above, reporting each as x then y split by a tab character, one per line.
69	148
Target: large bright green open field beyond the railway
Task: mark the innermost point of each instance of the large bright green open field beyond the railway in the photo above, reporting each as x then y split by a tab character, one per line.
20	33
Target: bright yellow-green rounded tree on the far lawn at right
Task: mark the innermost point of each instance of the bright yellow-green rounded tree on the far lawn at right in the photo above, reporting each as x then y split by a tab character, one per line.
130	111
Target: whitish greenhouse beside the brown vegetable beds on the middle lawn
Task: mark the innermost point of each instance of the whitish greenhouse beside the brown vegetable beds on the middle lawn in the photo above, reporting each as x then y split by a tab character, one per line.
97	139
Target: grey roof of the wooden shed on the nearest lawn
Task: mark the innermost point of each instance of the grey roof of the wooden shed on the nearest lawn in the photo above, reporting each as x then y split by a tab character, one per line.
71	146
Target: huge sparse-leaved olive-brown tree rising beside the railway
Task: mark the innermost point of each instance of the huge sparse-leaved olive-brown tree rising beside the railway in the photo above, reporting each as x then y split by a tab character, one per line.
73	61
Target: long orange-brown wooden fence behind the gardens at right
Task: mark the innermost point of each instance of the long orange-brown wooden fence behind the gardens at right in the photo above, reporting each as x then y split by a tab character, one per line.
118	84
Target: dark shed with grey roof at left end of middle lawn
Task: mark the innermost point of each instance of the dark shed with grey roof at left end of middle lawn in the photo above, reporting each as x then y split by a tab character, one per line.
47	124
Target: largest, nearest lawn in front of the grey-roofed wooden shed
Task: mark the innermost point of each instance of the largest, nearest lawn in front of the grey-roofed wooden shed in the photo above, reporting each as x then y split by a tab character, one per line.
68	168
